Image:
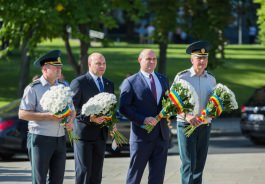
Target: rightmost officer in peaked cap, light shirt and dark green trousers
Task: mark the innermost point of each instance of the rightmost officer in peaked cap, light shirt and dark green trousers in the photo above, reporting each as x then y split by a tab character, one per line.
193	150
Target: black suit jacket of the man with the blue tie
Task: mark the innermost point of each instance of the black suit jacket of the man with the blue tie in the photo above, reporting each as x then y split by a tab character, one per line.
84	88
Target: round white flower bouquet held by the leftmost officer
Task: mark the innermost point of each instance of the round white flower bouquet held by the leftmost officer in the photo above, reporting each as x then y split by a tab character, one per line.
57	101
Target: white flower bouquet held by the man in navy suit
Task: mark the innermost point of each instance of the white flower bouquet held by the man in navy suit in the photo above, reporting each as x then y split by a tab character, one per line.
182	98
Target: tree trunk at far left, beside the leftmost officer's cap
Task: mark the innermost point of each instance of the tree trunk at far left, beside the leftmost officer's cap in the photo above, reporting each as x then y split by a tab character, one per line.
25	68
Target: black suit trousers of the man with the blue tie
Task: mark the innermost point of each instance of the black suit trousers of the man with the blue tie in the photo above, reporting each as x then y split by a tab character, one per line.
89	157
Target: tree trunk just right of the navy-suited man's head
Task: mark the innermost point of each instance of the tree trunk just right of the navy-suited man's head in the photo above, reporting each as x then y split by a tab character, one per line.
162	58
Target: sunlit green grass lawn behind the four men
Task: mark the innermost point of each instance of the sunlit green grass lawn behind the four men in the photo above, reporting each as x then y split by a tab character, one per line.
243	69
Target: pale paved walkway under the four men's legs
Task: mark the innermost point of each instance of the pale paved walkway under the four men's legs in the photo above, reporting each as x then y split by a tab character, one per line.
220	169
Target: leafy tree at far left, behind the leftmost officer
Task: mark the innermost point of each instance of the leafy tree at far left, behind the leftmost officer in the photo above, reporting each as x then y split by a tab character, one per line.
25	24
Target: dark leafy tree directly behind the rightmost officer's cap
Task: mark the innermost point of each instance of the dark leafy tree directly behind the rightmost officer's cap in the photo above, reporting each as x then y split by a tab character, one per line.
206	20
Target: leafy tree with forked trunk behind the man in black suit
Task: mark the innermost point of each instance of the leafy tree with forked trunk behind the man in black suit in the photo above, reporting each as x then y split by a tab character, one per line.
82	16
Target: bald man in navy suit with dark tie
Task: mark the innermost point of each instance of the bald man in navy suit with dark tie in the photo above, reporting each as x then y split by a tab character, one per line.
140	101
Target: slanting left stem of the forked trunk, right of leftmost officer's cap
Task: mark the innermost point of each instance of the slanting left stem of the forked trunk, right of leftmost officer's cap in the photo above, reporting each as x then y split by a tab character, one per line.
70	56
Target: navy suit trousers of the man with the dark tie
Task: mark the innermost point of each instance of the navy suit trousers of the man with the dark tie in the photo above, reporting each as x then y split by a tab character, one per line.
155	154
